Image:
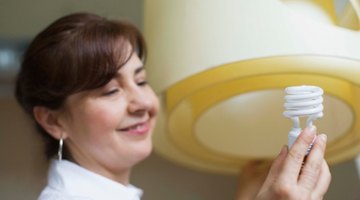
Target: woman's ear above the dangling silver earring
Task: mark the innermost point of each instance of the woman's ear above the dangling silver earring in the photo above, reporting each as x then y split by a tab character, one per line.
49	120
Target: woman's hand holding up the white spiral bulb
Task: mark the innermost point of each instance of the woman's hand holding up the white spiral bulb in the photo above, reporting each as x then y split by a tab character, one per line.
295	176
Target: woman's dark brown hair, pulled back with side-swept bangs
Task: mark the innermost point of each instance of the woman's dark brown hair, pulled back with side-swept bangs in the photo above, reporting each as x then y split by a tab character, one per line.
77	52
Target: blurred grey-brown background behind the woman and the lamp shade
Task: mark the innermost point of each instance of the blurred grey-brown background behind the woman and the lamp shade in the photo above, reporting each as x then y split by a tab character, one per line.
22	165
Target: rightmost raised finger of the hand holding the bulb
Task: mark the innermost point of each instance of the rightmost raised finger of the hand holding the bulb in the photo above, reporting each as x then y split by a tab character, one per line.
314	164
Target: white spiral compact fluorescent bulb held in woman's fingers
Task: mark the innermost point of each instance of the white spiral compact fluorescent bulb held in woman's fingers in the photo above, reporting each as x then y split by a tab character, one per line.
302	101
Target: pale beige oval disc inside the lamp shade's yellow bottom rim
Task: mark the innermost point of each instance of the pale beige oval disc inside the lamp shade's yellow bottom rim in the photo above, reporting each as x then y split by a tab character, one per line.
252	124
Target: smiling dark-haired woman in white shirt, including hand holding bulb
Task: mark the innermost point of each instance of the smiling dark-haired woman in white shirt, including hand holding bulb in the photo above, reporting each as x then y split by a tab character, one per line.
83	82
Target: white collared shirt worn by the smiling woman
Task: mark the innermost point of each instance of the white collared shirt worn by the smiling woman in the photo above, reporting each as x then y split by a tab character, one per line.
69	181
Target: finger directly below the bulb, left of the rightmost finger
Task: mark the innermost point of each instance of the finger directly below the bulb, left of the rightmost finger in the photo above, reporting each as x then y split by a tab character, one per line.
294	161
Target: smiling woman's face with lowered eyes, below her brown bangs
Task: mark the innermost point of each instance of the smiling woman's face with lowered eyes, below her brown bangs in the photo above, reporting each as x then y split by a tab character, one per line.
108	130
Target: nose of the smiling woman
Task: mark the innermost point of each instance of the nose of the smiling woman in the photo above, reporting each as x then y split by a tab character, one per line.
140	100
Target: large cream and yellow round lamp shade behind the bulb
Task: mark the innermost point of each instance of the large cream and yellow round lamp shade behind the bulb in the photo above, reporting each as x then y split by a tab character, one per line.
220	68
